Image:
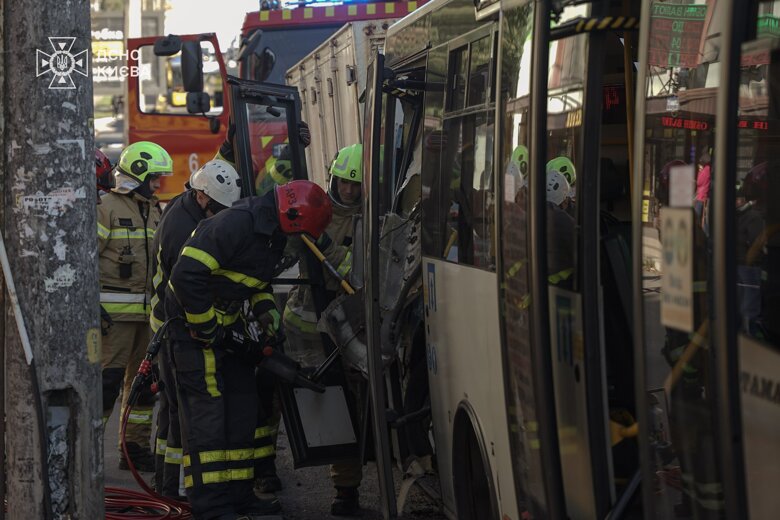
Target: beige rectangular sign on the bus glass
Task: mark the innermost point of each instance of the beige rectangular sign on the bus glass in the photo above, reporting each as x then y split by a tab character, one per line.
677	268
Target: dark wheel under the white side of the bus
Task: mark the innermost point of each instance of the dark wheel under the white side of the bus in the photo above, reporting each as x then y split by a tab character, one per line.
475	497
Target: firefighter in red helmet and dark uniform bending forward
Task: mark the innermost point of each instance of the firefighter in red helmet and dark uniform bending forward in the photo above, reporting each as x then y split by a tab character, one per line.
230	258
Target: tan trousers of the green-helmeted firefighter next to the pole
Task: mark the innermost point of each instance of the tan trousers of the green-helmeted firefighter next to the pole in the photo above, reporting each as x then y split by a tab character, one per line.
123	350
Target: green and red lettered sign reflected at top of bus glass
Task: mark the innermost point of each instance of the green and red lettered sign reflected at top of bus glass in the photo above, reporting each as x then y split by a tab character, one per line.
675	34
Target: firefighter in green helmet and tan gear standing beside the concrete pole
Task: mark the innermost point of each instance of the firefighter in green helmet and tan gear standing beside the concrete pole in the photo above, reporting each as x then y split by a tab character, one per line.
127	218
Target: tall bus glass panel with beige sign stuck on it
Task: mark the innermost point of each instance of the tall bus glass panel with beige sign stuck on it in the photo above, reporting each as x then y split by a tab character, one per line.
682	79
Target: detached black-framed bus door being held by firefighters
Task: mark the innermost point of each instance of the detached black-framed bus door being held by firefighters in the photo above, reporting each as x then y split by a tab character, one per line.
323	428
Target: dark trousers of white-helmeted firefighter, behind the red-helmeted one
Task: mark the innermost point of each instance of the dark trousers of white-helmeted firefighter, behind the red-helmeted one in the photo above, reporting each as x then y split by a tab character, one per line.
168	449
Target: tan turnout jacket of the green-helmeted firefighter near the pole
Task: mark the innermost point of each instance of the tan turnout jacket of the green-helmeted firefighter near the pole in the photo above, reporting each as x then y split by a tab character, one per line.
126	225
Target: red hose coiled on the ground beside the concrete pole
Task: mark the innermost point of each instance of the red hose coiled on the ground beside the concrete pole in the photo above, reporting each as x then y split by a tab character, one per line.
122	504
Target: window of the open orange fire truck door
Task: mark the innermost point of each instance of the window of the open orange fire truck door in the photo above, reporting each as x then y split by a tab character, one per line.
161	90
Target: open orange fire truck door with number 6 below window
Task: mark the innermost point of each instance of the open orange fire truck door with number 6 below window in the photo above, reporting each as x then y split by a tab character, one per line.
156	105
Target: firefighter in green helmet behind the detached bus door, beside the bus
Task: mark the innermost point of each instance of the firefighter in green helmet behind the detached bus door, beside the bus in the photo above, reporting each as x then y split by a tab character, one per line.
300	322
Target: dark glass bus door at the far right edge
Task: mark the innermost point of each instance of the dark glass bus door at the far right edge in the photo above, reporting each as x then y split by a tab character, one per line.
751	250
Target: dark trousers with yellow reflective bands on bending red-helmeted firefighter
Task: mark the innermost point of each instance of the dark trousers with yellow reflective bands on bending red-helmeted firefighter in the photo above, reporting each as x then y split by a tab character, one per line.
217	411
